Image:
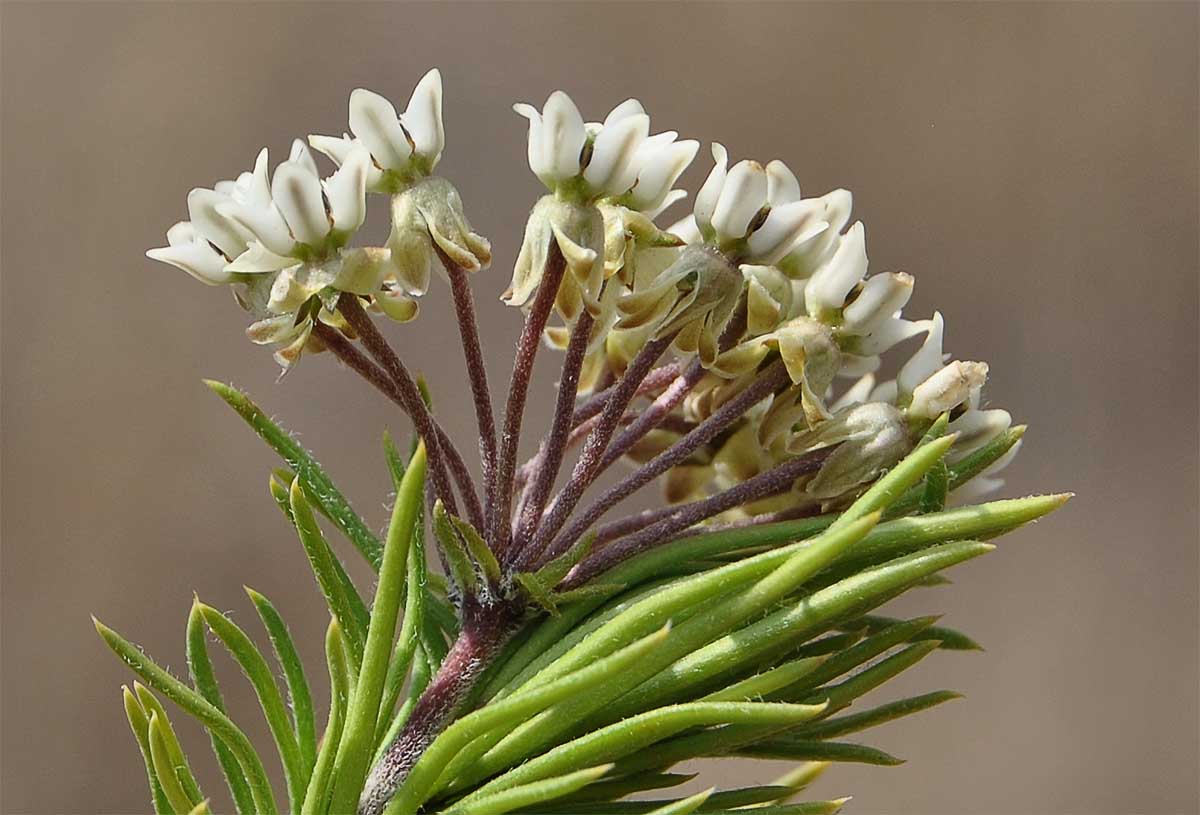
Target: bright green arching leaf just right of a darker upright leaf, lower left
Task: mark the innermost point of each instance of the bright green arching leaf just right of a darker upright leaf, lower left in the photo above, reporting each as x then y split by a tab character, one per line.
254	666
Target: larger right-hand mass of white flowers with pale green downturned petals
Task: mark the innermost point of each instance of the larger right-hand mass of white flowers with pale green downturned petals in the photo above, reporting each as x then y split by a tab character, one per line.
796	267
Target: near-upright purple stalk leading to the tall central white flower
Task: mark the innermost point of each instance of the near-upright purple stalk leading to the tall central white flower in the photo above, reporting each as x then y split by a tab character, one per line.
501	490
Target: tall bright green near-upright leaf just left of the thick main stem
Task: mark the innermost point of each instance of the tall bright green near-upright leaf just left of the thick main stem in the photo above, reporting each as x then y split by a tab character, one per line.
358	738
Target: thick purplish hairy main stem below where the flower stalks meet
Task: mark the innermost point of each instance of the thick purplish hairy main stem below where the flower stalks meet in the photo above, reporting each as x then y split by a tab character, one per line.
485	631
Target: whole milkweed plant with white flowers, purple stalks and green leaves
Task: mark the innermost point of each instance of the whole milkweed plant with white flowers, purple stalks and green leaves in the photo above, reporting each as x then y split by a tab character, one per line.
563	654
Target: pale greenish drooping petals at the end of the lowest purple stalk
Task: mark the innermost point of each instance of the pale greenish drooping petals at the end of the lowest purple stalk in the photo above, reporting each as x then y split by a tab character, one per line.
873	439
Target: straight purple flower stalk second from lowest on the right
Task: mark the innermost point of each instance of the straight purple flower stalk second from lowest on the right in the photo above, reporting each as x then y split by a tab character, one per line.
769	381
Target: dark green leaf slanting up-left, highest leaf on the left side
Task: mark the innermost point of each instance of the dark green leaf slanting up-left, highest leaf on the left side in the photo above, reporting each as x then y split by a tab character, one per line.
316	482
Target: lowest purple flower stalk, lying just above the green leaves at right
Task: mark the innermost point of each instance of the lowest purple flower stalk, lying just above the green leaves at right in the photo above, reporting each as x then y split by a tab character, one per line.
764	486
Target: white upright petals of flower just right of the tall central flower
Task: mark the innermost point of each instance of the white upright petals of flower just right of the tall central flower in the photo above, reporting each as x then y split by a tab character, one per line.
759	206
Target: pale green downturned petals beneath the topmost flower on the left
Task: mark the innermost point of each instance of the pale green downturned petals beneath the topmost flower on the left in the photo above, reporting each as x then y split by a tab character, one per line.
425	218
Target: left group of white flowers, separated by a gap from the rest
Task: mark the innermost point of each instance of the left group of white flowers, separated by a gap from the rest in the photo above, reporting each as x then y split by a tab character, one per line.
281	238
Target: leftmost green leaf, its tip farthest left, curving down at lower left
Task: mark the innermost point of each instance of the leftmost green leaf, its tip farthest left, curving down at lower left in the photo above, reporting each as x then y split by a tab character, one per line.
197	706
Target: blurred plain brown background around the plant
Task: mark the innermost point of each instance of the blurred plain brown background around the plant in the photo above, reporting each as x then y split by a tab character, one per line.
1034	165
